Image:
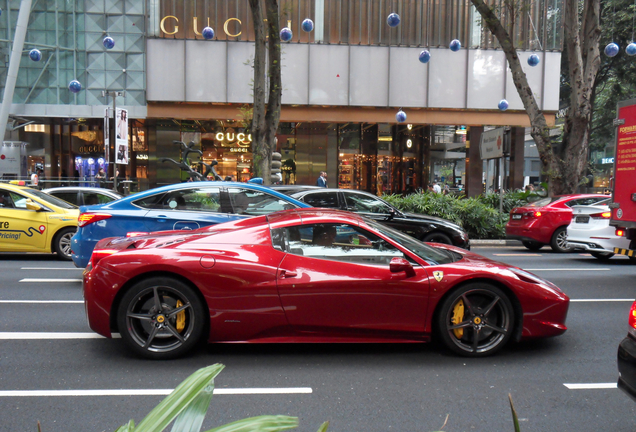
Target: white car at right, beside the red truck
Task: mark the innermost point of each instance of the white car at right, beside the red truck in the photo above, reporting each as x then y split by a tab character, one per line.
590	231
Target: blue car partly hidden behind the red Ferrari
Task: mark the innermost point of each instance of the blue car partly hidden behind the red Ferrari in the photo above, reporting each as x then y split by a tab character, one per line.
184	206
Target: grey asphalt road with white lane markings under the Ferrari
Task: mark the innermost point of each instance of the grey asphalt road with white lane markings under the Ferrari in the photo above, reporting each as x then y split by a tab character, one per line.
361	387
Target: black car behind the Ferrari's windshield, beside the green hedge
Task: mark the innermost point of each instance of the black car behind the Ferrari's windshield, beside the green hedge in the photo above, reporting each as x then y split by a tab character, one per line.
422	227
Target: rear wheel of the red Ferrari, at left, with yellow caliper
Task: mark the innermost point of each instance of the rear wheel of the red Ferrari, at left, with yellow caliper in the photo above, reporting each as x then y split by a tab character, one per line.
149	302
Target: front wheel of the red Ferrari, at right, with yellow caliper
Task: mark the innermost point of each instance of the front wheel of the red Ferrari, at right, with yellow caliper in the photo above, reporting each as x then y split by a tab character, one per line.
484	321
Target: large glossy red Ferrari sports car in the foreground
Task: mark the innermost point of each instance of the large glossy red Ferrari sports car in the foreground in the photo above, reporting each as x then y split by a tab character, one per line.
310	275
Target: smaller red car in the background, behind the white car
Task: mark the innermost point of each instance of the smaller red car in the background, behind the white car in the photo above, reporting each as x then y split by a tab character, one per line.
546	221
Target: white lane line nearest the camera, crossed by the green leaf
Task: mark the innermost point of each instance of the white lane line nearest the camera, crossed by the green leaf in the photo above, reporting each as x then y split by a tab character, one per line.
150	392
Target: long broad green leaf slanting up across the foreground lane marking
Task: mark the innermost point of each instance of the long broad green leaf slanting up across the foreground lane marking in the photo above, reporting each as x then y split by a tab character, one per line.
179	399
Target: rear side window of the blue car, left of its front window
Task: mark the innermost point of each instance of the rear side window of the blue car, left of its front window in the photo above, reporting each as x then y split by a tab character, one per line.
196	199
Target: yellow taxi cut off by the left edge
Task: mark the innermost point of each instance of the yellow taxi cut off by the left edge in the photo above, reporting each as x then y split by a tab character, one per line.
34	221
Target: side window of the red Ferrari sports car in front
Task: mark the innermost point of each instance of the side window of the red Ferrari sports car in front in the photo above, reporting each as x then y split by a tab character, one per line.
335	242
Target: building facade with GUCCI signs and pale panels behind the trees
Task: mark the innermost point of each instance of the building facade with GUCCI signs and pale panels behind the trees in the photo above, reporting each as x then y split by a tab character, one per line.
343	83
